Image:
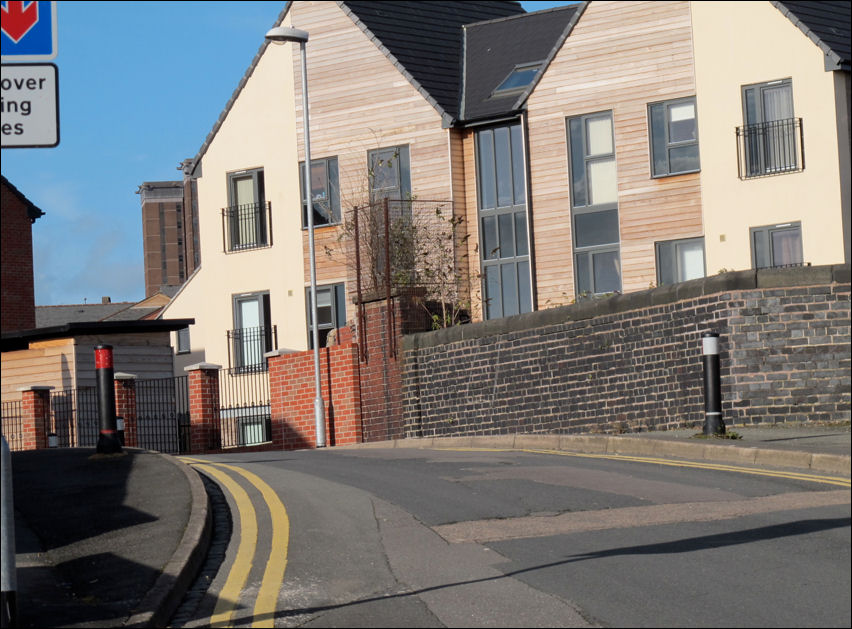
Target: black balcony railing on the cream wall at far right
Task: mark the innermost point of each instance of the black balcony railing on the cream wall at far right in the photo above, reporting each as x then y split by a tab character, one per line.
770	148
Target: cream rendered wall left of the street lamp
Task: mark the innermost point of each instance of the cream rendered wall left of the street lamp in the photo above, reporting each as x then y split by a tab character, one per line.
258	132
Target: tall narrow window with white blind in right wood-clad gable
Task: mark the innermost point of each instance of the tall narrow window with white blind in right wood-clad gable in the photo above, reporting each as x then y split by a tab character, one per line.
594	200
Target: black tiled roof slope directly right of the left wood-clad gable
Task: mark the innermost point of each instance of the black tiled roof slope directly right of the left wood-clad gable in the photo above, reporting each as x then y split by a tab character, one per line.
424	40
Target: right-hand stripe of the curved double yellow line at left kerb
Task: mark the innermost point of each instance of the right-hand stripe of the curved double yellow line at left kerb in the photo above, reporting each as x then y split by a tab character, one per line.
266	602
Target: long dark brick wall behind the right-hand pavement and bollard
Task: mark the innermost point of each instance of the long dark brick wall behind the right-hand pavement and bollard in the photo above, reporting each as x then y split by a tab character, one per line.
633	362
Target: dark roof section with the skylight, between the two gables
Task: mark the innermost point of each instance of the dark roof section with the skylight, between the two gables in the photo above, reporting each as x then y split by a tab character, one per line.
493	49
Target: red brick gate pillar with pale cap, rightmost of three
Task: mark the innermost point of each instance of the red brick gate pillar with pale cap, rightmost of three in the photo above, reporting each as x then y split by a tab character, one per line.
204	407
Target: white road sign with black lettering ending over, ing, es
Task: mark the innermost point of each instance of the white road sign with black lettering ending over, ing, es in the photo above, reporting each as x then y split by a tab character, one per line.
30	105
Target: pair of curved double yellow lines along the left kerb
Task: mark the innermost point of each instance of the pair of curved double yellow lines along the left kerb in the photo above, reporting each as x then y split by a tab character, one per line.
267	598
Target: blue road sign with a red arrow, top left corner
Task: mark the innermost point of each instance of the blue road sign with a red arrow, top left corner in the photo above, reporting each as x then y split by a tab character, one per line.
27	31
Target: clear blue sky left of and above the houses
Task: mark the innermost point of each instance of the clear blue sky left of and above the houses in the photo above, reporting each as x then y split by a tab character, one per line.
140	86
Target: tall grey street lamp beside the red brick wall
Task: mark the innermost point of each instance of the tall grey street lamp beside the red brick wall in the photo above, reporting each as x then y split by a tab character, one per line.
281	35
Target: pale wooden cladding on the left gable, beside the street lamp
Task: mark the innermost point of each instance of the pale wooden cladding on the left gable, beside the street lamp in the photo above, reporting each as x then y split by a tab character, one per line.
359	102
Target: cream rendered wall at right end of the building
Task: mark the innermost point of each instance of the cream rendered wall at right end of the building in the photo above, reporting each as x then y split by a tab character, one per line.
742	43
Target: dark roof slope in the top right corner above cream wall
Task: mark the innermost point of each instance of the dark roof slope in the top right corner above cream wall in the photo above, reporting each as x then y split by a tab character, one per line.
827	24
